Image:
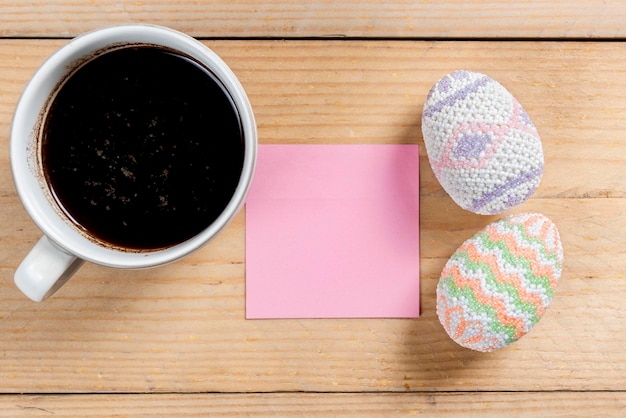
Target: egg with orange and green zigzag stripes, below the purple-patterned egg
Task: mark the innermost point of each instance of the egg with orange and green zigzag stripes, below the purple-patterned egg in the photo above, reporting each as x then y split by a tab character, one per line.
498	284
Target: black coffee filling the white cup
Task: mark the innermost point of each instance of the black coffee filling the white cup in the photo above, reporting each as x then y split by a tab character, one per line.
142	147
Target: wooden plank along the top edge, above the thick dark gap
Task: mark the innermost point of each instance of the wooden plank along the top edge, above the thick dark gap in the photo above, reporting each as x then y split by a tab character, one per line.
324	18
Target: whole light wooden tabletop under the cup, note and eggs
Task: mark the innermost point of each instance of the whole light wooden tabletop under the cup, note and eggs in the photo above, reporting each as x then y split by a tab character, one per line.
174	341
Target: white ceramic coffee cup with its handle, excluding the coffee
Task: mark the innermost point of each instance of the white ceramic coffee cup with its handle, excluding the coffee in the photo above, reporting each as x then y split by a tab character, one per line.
64	247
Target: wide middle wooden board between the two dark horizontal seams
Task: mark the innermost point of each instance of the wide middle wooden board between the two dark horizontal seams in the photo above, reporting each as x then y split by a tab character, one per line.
181	328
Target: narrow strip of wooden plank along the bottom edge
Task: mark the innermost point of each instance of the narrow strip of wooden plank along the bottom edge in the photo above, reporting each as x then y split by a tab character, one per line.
476	404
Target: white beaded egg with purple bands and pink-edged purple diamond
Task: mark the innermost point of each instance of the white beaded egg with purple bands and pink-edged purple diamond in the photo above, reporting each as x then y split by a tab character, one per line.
481	144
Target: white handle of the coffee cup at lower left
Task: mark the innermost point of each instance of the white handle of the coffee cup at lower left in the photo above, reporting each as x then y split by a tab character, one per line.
45	269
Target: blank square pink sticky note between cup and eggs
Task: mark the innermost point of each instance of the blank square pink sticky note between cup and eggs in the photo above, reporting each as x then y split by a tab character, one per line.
332	231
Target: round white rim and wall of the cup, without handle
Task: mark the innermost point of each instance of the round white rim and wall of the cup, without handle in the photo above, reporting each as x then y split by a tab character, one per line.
27	174
